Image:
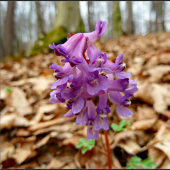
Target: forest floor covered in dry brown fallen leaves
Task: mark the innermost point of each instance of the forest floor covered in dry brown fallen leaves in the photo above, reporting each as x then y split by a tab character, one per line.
35	134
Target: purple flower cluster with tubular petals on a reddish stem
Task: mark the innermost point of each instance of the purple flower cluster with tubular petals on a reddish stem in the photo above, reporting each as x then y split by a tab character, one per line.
88	74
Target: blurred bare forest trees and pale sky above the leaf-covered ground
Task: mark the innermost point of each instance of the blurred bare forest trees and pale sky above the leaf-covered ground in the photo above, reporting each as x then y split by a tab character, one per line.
22	23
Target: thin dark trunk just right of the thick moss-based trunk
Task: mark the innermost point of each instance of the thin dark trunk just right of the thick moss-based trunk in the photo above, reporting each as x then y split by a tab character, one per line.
90	16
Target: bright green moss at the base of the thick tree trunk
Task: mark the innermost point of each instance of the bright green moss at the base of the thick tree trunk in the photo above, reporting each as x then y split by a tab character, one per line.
57	36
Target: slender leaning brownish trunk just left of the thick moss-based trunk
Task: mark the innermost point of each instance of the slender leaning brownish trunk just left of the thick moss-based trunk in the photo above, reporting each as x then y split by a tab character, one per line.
40	21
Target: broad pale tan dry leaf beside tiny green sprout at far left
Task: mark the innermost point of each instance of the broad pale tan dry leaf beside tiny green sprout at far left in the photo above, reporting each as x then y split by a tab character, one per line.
19	102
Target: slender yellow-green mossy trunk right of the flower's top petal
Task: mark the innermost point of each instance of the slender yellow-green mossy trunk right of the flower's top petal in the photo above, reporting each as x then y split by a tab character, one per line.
117	22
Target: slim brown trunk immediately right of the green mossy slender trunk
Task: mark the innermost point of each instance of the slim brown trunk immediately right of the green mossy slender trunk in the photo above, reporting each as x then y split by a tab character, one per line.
129	20
